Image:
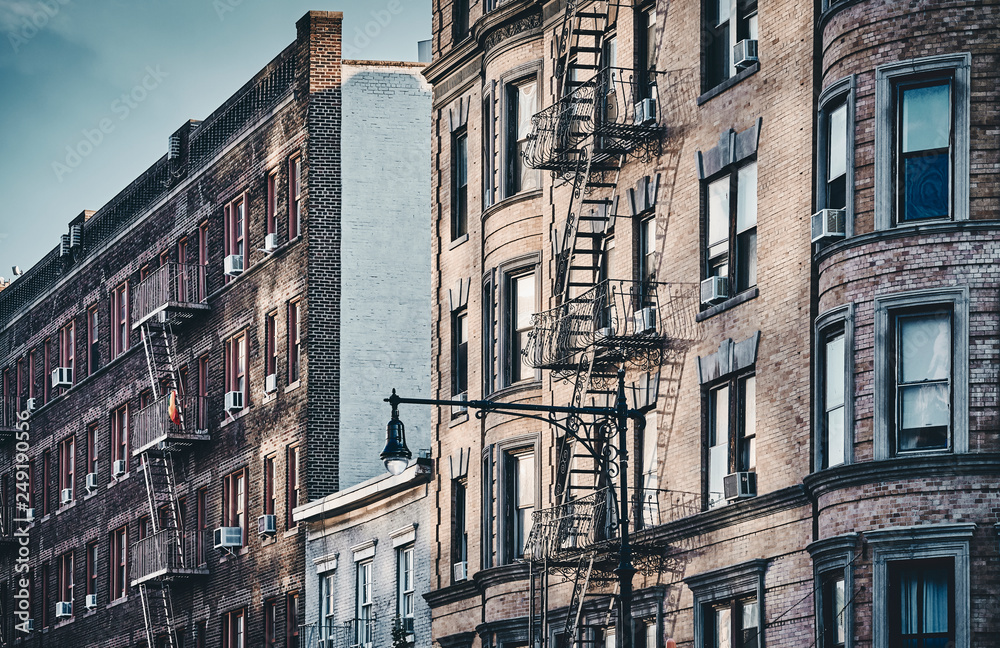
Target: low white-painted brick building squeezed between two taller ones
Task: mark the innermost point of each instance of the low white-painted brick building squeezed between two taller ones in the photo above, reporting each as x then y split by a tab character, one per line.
366	557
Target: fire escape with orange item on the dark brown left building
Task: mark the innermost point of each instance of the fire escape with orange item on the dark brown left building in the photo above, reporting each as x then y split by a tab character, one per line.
172	421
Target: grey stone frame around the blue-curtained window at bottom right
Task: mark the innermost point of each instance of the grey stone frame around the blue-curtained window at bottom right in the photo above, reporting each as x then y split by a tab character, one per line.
918	543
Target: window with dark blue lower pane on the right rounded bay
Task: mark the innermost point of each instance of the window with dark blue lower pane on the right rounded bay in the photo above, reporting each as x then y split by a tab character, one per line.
923	149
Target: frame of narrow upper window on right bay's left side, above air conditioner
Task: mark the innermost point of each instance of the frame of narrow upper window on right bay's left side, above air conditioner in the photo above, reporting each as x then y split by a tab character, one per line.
839	93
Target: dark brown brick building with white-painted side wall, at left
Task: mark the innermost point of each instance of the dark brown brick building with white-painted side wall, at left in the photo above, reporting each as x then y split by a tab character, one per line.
204	352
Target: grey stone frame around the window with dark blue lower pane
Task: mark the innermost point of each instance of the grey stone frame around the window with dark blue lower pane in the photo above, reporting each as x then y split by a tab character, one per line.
887	78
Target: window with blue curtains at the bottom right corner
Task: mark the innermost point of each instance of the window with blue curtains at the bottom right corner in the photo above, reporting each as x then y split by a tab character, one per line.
922	603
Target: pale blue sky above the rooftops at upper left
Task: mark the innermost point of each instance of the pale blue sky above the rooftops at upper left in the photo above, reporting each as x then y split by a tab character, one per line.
65	64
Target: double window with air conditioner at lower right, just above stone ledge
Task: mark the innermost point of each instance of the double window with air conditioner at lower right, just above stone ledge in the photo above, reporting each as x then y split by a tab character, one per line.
732	432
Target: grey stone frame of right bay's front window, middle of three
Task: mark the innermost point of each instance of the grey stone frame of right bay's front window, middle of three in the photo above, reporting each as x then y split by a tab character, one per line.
887	307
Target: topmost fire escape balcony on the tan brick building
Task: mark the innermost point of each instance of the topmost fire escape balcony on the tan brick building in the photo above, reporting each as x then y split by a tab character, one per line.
609	106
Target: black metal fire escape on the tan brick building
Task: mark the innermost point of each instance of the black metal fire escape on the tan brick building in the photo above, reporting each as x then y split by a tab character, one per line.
603	117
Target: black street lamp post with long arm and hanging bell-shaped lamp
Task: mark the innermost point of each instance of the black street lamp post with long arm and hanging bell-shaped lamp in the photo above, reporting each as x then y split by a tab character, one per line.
396	456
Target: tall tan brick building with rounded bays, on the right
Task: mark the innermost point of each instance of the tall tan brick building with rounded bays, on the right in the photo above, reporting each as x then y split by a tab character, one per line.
633	185
